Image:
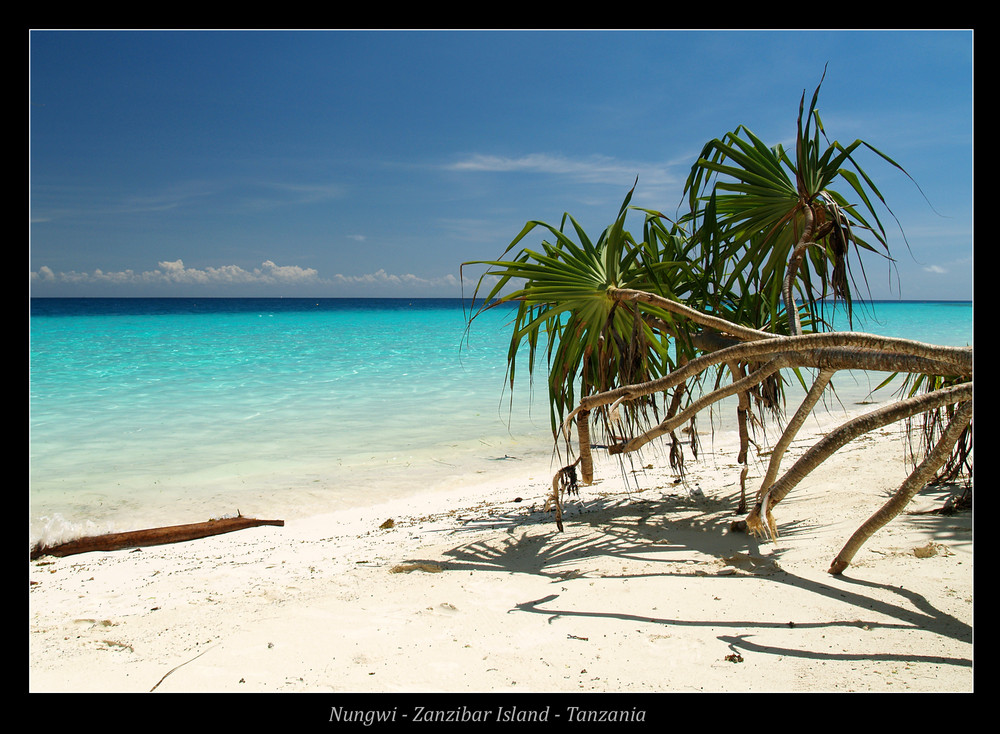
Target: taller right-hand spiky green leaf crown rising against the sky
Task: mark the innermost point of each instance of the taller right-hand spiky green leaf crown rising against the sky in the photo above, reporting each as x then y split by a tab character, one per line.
753	206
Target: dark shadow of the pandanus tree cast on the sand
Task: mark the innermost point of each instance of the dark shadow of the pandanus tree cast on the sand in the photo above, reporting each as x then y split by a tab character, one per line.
673	535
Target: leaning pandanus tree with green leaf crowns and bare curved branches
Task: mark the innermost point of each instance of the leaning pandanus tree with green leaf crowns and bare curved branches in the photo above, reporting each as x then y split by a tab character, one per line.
728	300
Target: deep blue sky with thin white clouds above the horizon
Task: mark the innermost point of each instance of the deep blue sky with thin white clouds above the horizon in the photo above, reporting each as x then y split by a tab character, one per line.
372	163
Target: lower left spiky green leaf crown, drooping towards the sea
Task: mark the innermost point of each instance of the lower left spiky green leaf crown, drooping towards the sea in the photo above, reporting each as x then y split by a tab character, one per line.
590	342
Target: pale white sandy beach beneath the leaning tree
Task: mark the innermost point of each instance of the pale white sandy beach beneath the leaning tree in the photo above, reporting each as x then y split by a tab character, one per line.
646	591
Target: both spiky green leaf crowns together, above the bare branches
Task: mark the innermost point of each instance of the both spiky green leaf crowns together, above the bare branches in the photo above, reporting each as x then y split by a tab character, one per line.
769	235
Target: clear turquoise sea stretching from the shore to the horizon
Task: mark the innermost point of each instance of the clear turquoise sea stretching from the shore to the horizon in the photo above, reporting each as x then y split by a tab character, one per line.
159	411
